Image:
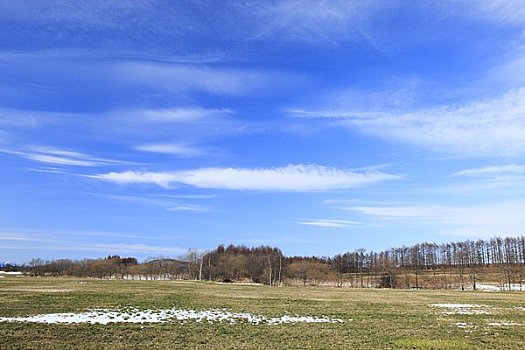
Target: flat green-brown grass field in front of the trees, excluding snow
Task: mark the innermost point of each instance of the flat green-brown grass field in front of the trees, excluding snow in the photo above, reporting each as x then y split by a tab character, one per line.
373	318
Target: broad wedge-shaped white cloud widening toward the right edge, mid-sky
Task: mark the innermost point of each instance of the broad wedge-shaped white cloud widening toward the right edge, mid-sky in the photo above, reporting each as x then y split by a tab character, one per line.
493	127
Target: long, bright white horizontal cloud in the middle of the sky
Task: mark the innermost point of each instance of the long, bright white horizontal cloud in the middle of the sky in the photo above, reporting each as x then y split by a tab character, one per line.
289	178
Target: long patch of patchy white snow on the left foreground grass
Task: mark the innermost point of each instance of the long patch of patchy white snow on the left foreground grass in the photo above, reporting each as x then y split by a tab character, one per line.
132	315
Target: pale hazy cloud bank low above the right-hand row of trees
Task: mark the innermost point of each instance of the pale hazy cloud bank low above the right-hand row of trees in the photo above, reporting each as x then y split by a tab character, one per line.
484	220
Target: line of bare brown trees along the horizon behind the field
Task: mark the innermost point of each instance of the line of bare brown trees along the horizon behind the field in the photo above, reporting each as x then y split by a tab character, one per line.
450	264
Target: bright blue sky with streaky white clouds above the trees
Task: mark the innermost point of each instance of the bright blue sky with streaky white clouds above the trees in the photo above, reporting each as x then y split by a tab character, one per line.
145	128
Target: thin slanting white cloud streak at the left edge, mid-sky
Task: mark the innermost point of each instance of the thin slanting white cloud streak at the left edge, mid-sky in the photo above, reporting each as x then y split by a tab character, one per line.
50	155
